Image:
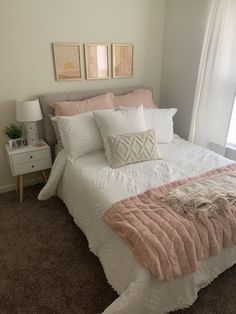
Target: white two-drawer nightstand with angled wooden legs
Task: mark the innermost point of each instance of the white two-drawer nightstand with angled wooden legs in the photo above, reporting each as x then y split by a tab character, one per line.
27	160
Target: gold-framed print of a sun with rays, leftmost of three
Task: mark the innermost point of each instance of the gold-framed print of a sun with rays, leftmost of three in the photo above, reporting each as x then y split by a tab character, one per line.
67	61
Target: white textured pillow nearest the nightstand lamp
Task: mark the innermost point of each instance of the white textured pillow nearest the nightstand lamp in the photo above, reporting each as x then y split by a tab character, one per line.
79	134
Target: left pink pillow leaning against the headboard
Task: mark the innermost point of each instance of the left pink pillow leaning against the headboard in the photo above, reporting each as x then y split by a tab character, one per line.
71	108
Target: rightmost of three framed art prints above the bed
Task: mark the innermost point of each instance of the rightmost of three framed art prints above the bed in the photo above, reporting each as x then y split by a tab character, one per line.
122	60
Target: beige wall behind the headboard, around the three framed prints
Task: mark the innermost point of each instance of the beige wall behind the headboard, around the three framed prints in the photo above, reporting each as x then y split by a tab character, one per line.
28	27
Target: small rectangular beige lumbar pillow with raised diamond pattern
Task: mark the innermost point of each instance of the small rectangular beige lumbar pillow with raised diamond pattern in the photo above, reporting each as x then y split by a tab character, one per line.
132	148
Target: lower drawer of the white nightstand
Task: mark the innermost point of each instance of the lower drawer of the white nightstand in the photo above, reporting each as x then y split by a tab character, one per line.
31	166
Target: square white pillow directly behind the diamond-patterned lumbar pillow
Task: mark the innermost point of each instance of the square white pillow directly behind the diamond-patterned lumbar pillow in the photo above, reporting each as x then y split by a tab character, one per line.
119	122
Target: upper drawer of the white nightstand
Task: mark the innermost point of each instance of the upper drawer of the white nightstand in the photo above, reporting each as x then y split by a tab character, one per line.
30	156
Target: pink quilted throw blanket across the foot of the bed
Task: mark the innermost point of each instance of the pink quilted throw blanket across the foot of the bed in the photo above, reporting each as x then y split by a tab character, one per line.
169	242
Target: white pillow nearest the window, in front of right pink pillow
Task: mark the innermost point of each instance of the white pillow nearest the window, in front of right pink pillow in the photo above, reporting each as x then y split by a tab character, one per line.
161	120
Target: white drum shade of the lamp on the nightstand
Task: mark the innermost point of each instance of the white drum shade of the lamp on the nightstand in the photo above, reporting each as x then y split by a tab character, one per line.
28	111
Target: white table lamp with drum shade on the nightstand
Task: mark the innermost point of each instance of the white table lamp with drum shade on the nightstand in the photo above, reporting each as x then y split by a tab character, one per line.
29	112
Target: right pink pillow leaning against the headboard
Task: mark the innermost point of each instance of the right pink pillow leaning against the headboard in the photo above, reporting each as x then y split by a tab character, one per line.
135	98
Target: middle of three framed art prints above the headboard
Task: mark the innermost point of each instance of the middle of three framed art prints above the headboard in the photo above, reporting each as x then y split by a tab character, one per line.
97	61
